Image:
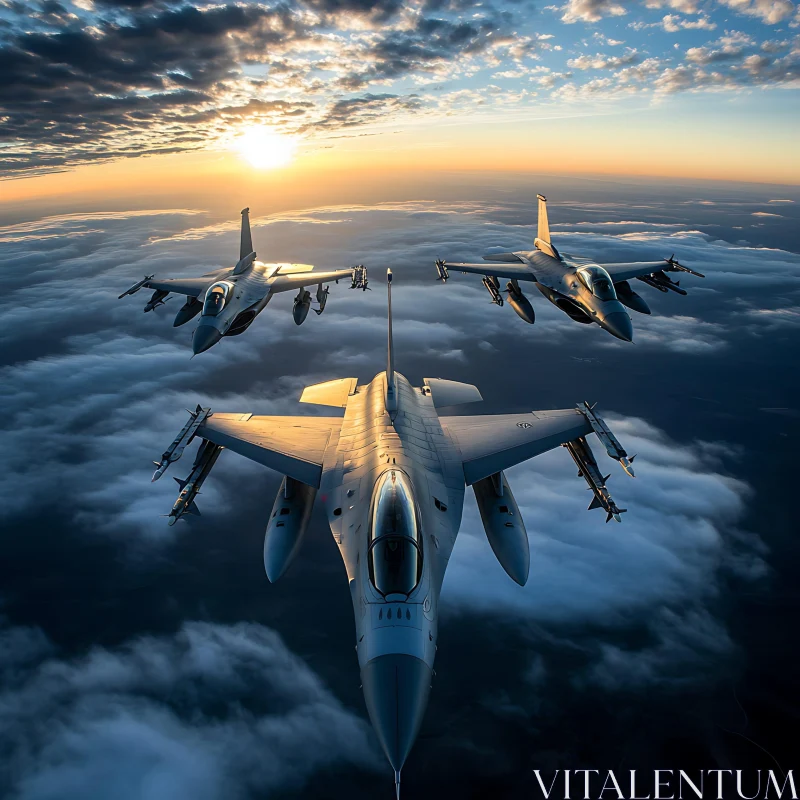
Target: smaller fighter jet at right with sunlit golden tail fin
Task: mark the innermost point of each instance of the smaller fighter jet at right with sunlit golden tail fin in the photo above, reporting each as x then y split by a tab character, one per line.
583	289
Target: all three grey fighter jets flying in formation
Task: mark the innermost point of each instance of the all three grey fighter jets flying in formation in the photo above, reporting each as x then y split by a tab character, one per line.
391	472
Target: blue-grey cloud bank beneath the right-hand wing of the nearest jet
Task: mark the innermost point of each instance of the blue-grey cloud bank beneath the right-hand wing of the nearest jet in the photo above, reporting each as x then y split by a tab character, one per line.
661	566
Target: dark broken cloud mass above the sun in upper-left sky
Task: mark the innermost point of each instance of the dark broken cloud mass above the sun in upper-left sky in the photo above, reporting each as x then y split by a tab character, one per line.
143	78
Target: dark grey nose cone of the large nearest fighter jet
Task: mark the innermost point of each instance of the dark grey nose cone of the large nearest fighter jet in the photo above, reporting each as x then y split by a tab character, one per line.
396	689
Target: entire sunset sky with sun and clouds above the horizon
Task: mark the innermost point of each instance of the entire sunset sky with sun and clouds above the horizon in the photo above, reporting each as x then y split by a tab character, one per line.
312	91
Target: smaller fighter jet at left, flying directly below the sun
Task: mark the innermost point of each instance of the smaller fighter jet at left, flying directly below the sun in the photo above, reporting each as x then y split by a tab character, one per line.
229	299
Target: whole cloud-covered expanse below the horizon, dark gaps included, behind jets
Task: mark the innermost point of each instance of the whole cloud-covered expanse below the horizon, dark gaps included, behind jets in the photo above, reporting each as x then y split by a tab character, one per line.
92	389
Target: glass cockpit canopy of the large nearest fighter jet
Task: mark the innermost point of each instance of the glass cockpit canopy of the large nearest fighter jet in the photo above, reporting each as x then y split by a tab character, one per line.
395	558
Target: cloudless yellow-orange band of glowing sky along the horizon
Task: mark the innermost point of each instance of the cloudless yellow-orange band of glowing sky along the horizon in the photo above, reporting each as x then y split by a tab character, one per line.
591	147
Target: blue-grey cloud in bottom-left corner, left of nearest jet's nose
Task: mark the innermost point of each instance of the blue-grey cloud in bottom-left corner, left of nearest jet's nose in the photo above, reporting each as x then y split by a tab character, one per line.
162	717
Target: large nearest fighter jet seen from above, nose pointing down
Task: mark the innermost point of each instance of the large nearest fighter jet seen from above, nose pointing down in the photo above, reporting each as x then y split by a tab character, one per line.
391	474
